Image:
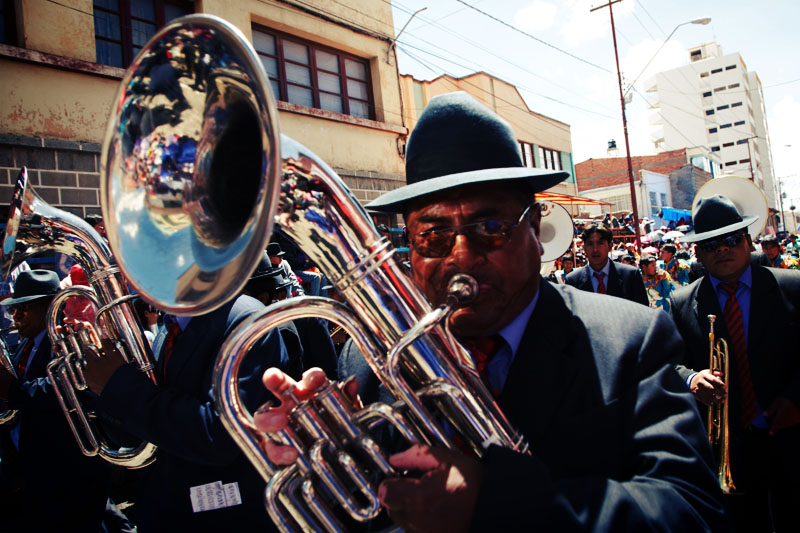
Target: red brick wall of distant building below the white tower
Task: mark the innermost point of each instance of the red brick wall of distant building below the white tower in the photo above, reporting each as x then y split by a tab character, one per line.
605	172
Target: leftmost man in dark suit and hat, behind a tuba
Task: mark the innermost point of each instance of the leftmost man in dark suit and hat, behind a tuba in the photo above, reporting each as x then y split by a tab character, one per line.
47	483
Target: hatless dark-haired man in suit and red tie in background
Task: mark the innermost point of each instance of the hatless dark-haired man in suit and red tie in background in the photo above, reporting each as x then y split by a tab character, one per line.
604	276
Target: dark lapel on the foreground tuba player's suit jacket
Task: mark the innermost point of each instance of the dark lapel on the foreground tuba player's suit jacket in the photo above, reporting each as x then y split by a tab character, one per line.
543	367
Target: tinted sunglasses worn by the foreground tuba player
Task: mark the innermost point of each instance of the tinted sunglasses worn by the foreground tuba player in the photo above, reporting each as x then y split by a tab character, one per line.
488	235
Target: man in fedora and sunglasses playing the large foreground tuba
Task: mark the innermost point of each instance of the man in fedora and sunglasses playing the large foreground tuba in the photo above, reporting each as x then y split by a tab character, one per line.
616	442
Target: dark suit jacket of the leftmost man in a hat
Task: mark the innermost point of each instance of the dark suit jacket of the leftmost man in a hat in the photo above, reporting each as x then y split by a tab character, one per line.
63	490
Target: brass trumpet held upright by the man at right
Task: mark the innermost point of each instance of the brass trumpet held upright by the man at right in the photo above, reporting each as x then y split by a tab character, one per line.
718	432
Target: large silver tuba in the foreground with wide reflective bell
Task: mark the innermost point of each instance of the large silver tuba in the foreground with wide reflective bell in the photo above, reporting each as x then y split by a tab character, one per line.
219	83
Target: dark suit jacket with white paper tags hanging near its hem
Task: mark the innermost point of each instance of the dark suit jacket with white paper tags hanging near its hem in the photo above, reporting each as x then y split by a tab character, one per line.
180	417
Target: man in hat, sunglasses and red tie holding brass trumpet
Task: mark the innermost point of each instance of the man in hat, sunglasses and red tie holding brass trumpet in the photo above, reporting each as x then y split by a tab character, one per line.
758	314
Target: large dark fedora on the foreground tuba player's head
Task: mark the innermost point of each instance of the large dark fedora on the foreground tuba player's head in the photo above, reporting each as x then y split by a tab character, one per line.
458	141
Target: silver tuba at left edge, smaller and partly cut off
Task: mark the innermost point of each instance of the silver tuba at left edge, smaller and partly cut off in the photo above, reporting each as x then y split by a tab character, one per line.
34	227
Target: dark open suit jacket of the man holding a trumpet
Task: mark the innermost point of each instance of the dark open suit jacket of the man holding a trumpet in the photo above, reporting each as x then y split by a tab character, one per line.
771	343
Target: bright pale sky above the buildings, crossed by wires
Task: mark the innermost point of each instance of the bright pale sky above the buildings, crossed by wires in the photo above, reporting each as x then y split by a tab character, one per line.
577	84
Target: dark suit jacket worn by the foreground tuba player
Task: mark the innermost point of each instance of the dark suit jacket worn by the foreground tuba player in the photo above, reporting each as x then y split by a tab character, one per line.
616	440
